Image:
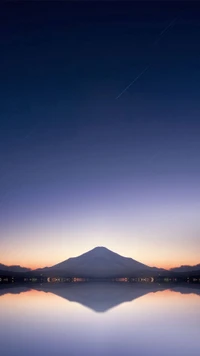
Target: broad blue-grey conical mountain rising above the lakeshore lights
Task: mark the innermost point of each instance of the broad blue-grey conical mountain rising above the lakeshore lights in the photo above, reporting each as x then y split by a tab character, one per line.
100	263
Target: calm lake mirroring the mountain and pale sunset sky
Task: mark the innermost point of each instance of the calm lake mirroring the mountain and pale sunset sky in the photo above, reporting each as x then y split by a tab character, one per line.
100	319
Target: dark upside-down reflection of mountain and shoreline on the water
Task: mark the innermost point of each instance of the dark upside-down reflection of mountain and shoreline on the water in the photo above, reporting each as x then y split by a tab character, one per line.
100	297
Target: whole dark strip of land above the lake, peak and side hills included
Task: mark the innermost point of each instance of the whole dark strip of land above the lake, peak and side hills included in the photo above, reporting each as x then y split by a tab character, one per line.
99	263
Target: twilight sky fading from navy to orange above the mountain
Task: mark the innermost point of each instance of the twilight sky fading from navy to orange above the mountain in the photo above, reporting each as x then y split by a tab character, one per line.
99	131
